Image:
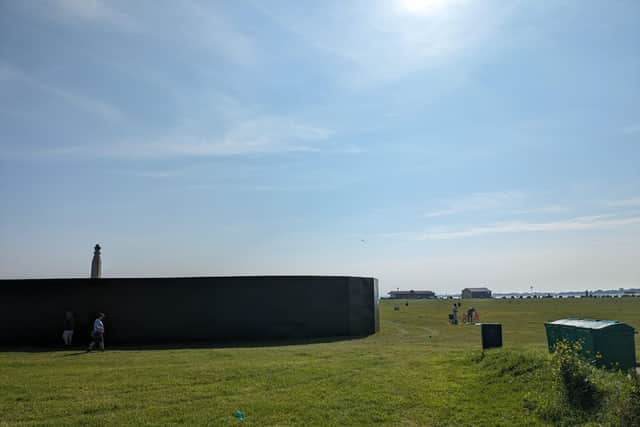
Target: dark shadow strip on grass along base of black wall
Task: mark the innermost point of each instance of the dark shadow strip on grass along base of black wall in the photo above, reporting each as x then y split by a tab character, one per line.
179	345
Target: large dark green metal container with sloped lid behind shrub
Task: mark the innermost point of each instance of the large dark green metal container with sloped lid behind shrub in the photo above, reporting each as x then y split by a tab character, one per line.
607	343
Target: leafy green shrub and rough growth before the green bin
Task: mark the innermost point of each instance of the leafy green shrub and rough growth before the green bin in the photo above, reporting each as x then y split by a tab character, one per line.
566	389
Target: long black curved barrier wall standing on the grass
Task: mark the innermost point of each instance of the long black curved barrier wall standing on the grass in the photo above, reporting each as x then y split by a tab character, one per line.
189	309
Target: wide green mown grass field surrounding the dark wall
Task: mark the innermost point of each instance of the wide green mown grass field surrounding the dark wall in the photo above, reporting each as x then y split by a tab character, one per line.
418	370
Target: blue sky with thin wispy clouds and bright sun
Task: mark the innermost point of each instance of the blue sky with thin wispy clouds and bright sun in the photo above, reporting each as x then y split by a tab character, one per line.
432	144
